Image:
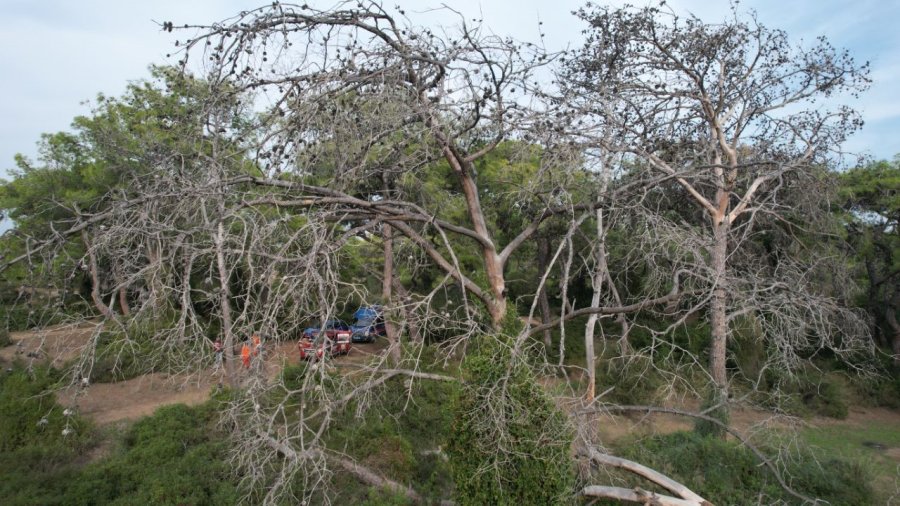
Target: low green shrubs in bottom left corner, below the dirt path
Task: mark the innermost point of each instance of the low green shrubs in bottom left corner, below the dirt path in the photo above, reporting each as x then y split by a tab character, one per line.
175	457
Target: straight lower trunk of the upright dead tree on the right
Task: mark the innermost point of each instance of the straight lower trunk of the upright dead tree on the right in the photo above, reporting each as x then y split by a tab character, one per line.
718	308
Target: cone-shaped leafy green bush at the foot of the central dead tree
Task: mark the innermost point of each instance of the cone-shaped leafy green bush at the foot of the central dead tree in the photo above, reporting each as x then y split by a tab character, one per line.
508	444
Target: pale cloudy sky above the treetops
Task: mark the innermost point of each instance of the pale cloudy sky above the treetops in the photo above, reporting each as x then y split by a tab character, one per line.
57	54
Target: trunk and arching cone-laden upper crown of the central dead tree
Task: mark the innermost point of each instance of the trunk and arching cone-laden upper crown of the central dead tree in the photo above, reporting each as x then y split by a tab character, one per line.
354	93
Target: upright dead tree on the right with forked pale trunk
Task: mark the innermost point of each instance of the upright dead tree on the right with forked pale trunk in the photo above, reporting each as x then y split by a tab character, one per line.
731	113
